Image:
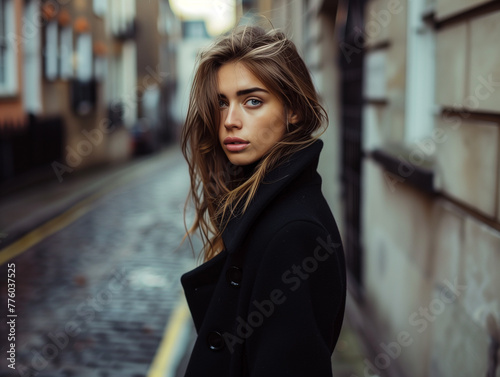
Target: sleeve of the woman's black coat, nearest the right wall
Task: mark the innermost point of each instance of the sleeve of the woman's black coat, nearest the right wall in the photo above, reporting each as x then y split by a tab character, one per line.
297	303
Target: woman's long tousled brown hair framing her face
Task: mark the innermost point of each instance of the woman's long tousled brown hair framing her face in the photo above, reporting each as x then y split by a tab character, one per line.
219	190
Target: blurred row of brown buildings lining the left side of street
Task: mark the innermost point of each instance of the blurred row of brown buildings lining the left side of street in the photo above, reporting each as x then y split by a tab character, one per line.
79	80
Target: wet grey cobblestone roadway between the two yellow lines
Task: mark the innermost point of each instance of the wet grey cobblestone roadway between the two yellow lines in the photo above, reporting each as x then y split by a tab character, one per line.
93	299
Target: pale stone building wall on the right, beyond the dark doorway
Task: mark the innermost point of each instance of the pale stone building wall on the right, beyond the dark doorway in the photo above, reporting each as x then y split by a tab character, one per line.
431	237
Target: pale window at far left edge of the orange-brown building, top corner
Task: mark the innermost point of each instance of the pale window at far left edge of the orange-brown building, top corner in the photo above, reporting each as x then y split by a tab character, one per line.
8	64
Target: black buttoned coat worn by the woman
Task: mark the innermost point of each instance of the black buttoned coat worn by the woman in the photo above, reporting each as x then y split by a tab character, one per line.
272	303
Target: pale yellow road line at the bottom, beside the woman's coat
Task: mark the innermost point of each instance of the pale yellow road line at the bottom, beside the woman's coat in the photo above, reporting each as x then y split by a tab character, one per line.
164	356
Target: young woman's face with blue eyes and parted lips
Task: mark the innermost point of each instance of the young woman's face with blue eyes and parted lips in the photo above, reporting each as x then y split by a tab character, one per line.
252	118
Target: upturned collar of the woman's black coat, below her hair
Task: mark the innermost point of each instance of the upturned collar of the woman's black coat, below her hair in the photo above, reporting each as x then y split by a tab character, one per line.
274	182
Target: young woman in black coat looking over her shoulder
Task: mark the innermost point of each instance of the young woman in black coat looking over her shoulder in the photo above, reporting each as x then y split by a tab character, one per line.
269	299
